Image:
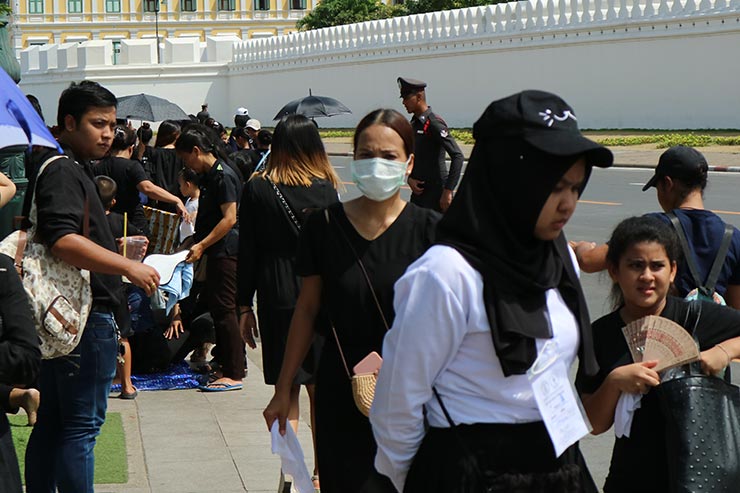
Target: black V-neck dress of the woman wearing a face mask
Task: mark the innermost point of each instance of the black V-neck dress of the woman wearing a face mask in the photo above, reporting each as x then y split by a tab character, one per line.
345	444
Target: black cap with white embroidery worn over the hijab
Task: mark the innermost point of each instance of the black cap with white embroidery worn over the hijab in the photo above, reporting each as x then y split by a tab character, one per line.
544	121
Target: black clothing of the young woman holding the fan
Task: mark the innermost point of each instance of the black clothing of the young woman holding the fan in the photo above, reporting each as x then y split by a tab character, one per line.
646	443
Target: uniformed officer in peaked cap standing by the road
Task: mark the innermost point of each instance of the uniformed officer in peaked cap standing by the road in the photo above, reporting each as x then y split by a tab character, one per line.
430	181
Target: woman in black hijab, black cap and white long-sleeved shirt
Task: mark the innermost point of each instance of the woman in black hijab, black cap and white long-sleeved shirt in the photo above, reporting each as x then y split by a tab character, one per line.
475	312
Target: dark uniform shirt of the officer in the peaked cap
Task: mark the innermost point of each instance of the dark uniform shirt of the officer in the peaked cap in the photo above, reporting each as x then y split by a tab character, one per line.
432	140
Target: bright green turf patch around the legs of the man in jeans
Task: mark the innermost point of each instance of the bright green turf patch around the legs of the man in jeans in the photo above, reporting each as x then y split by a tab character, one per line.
111	462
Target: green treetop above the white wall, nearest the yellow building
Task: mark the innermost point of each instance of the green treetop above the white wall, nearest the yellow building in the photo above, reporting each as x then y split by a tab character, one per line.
338	12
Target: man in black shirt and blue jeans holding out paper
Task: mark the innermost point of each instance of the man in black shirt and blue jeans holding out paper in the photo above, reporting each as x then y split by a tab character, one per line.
75	388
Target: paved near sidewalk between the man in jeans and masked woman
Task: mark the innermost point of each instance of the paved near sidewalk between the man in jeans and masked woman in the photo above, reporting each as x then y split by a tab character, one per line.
187	441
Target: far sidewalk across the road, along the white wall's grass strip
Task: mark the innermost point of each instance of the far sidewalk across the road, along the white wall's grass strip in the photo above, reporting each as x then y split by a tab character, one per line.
719	158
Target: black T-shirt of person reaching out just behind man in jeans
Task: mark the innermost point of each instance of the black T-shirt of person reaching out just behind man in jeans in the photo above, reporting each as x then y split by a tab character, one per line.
127	174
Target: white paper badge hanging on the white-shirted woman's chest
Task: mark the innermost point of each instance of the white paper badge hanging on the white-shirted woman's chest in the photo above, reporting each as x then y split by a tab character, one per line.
561	410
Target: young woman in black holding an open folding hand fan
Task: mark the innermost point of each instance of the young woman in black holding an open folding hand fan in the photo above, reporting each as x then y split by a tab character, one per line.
642	258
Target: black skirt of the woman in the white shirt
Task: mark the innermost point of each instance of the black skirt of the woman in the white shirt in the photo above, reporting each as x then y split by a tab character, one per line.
511	458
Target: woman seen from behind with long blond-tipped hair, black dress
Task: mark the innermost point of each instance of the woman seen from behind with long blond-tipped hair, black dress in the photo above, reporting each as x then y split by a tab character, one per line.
298	178
